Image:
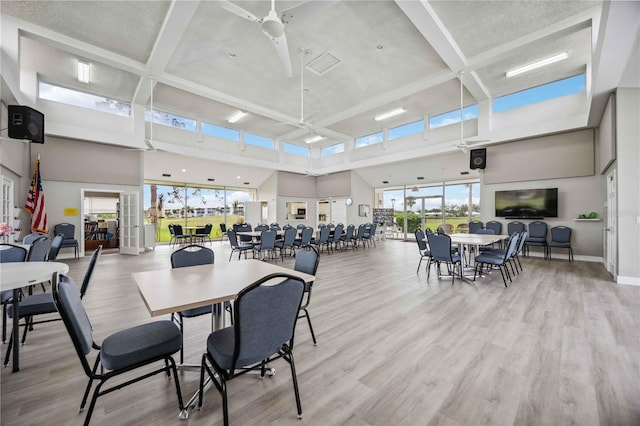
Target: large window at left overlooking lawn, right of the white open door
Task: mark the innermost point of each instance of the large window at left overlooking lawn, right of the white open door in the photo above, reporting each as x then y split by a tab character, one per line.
190	205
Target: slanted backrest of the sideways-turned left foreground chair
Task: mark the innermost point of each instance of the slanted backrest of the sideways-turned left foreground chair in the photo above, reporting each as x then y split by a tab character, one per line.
74	317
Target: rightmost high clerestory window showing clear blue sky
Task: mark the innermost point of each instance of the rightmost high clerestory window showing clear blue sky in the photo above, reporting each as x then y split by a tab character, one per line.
545	92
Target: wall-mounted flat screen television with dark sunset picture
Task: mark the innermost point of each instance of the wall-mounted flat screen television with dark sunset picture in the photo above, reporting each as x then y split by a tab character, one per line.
527	203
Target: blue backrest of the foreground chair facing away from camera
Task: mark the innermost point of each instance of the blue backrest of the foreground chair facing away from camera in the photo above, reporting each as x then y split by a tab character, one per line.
265	318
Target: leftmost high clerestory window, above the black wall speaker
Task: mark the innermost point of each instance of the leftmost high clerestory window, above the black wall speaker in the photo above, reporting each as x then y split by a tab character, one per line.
83	100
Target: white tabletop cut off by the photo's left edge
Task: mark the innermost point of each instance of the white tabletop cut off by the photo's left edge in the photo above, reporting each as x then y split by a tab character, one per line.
19	274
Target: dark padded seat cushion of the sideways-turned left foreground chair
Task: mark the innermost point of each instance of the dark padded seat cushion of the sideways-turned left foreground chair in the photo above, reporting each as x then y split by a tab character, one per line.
140	344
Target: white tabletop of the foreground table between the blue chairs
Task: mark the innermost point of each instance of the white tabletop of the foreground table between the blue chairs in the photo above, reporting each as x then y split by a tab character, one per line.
171	290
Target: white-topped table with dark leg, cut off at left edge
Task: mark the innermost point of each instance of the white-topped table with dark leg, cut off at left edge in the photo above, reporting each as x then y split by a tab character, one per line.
15	275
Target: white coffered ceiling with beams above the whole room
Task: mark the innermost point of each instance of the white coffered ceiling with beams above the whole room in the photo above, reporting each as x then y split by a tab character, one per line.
208	62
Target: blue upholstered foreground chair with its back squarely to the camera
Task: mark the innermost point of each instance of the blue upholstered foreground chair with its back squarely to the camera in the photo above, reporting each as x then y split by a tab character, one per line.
261	333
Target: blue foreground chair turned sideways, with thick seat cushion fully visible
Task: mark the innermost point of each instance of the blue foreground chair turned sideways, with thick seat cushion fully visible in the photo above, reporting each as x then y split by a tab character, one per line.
121	352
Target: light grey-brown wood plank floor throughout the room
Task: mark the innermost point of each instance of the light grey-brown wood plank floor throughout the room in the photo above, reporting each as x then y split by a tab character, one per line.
560	346
